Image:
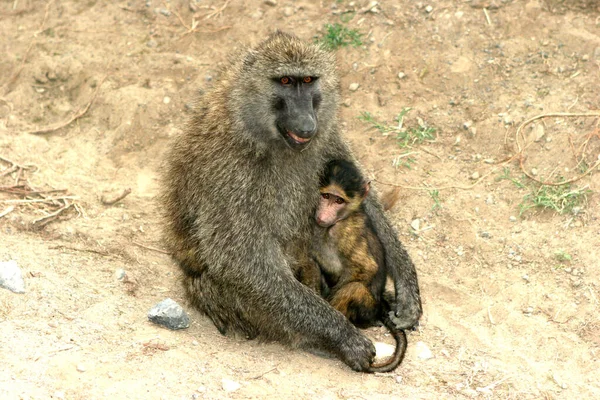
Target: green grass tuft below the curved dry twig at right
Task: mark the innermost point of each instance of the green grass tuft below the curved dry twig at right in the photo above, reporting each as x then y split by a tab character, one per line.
561	199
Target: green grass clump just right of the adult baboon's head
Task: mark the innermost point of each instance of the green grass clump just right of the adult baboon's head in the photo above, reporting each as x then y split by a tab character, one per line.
405	136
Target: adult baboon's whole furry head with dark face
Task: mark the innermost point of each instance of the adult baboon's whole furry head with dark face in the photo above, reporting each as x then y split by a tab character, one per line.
285	92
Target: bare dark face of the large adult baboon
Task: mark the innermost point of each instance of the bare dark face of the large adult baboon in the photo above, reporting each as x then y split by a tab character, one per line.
296	101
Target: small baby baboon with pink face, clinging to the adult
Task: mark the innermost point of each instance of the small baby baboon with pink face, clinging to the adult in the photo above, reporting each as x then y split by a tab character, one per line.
350	255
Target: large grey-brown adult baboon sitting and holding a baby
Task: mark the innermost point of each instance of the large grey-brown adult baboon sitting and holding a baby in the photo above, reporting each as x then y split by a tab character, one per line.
240	189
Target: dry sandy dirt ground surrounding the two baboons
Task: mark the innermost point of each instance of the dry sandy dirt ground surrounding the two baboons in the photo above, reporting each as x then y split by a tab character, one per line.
505	316
